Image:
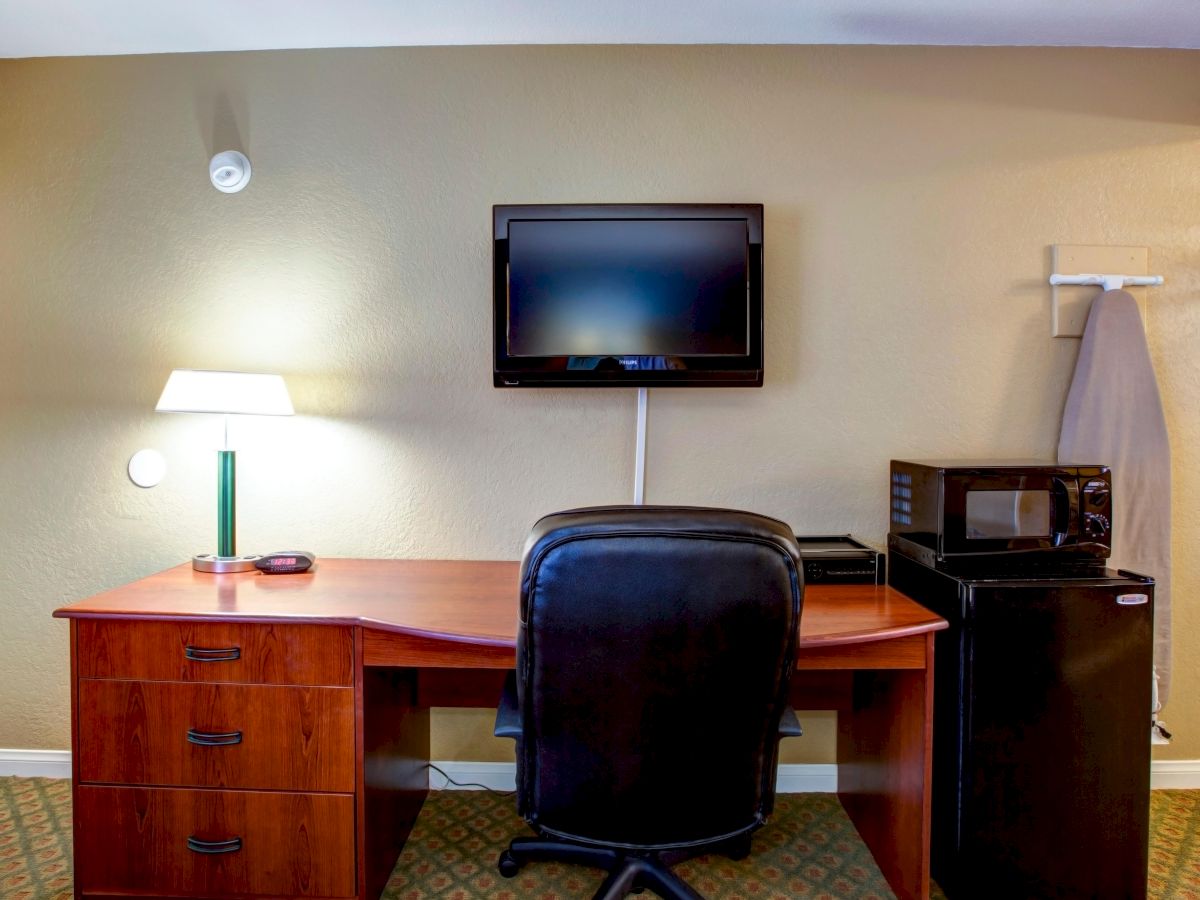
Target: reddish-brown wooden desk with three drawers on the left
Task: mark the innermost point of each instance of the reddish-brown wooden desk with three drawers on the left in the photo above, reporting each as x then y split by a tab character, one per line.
267	736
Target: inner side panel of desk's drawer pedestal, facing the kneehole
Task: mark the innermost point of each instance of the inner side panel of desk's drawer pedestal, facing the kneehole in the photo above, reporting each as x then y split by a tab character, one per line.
394	739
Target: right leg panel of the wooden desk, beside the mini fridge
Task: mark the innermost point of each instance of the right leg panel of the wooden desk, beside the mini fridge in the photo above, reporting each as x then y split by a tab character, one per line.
885	746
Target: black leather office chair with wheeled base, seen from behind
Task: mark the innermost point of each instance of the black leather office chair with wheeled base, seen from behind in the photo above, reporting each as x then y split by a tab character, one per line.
655	653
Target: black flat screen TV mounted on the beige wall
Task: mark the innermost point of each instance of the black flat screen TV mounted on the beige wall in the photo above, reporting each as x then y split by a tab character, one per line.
650	296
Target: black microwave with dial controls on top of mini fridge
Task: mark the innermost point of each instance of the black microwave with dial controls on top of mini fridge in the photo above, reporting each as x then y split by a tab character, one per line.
970	515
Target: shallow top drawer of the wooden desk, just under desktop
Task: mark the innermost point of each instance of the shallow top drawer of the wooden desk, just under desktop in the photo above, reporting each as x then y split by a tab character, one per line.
259	653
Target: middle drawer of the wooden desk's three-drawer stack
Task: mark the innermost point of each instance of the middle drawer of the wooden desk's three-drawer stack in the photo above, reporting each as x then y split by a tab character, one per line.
292	739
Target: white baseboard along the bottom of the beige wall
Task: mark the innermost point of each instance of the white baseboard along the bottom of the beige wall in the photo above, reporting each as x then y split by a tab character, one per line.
794	778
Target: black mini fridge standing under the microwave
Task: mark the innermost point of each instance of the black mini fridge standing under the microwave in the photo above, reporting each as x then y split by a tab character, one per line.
1041	731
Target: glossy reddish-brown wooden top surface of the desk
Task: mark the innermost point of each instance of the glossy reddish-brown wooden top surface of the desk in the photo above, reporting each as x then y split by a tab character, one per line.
458	602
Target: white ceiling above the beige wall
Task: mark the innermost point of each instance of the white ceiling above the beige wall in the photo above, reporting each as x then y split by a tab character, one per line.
73	28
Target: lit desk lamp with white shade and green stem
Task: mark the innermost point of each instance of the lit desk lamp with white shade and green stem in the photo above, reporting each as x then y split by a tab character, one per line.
191	391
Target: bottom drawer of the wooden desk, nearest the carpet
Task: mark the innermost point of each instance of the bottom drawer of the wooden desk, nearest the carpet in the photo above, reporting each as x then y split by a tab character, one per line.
139	841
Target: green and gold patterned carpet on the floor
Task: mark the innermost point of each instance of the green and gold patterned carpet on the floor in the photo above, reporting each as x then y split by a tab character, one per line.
811	850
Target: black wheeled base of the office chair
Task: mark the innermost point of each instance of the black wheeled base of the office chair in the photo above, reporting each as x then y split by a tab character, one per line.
628	873
